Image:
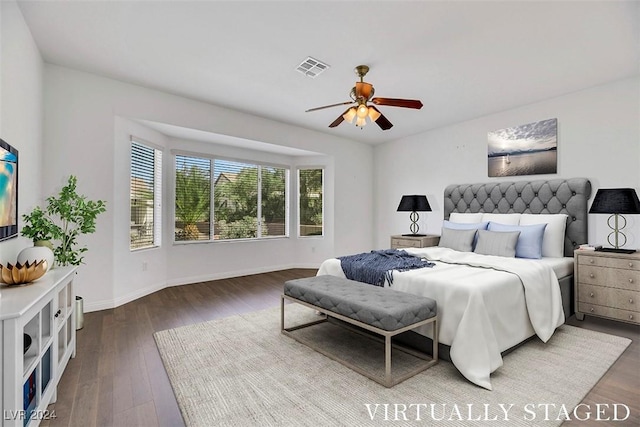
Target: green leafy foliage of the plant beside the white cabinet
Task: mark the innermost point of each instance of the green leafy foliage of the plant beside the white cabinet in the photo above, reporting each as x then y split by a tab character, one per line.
66	217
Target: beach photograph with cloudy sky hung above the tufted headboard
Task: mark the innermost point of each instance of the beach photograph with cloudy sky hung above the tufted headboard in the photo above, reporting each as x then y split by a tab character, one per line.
529	149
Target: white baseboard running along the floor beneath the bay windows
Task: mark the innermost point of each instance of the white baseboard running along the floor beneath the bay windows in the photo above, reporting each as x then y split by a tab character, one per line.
132	296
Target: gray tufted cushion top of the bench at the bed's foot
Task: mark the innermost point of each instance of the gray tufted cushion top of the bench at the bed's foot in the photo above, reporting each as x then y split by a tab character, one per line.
382	308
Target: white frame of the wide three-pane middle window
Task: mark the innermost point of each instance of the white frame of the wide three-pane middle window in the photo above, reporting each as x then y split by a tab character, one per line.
259	165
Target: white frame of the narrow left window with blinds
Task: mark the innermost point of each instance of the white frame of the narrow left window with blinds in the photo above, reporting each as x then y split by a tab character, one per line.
157	229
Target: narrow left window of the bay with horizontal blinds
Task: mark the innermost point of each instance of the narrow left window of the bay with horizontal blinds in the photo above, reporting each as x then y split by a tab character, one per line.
145	196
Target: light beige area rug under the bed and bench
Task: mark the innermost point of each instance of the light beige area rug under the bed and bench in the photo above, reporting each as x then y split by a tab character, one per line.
241	371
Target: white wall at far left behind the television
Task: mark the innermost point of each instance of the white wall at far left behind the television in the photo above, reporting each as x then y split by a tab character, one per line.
21	69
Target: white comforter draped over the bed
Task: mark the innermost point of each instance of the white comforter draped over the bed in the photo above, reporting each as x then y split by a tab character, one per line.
486	304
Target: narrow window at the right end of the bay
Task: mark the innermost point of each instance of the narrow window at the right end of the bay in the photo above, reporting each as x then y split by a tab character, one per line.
310	207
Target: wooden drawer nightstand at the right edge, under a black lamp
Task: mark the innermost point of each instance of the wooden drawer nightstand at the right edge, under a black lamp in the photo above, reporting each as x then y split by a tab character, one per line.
607	284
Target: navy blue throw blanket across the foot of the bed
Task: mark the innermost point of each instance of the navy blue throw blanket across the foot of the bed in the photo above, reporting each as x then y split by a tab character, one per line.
377	266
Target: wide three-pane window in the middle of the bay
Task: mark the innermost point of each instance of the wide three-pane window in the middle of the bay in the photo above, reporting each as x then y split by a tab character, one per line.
249	200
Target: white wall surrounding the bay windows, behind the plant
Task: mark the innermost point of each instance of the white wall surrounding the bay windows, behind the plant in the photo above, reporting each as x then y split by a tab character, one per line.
86	126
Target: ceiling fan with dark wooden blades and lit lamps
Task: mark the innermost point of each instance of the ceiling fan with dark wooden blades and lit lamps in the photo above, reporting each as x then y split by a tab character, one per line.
362	93
